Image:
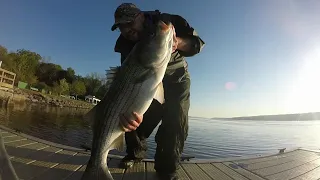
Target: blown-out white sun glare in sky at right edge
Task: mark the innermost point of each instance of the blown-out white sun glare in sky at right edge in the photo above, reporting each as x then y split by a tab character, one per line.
305	94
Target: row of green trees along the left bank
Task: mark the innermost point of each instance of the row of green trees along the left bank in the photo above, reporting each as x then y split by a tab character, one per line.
32	68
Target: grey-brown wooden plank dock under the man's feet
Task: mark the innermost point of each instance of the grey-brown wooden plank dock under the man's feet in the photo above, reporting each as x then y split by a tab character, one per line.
35	159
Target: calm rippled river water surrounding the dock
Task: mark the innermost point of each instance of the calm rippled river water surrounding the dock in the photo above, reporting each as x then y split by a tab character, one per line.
207	138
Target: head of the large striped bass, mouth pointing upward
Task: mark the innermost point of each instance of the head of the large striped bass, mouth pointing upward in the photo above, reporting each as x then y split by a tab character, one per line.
155	47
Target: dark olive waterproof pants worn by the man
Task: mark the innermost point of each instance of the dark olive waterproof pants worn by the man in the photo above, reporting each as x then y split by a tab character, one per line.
172	132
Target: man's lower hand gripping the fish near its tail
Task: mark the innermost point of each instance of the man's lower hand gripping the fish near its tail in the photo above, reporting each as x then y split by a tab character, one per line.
131	124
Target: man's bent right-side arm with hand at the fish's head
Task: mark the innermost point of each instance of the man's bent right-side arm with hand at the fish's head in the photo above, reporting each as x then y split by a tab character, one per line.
189	42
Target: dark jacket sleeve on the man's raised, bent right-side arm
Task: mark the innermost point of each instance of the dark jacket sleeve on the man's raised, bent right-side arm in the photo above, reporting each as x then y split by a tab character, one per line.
184	30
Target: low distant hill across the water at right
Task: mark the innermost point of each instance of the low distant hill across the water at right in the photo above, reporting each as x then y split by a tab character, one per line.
283	117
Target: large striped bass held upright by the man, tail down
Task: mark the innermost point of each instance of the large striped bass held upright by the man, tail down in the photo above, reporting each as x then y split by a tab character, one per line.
137	82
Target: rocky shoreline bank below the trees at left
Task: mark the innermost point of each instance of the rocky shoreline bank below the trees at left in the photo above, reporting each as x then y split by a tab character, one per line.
17	96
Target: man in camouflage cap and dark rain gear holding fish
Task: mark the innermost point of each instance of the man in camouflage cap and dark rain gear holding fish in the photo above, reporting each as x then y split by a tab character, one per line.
173	130
